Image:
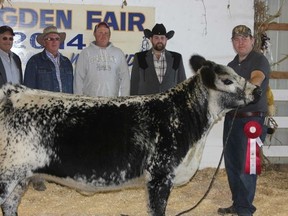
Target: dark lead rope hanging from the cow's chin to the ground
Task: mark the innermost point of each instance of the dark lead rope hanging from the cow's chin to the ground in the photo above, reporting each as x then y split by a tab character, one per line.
216	172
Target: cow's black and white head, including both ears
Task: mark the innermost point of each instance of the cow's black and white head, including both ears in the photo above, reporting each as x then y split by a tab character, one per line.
225	86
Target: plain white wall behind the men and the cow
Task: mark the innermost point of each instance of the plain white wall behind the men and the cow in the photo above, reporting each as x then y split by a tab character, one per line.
201	26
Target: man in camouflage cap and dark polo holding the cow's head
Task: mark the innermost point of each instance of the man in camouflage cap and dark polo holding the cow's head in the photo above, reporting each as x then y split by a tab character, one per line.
254	67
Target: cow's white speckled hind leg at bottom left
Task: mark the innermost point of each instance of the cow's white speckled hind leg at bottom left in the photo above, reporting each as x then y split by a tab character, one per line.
10	205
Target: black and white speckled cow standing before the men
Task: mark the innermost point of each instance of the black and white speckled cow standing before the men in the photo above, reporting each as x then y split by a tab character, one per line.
96	144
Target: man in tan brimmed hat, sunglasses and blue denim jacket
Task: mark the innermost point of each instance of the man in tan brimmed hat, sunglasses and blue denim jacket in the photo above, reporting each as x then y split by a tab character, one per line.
50	70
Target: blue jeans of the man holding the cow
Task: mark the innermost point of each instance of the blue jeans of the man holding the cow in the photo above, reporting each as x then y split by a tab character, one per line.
242	185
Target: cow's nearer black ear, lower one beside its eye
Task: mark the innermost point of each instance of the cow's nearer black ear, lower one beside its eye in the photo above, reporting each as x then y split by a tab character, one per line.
208	75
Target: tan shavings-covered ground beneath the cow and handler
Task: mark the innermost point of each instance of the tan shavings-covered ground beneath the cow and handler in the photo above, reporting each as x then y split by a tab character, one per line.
271	198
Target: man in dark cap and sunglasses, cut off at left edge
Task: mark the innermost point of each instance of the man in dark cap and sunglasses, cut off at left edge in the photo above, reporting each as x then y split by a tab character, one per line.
10	63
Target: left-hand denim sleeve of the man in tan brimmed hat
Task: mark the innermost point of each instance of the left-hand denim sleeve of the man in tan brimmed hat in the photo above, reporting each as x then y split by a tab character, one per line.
30	74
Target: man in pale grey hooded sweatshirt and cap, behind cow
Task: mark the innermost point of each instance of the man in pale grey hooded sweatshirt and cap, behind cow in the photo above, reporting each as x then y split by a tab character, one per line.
101	68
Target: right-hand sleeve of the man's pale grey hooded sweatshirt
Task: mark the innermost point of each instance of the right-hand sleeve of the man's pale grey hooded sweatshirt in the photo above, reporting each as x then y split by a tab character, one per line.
124	77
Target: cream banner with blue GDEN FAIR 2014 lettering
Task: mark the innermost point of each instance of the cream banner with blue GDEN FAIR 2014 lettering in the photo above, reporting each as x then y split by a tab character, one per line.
78	21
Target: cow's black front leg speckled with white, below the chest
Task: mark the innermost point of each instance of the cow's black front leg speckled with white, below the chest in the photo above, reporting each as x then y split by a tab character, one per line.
158	193
